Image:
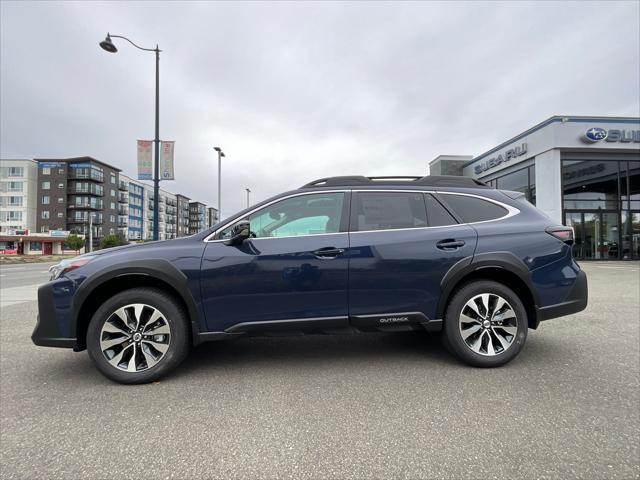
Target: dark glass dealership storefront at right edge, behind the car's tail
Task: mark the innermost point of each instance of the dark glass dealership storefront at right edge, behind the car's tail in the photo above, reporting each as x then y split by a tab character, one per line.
601	201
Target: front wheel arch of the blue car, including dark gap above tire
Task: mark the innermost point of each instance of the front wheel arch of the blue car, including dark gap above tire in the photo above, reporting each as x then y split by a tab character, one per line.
115	279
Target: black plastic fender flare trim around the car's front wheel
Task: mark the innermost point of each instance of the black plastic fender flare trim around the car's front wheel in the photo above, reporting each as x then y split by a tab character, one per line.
157	268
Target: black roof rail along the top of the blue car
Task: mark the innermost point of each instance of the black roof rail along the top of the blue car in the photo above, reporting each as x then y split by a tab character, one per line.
429	181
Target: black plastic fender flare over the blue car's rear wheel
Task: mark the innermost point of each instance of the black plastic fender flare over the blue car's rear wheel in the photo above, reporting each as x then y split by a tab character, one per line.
503	260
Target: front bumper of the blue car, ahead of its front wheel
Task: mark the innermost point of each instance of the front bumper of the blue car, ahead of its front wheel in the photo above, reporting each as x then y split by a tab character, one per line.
48	328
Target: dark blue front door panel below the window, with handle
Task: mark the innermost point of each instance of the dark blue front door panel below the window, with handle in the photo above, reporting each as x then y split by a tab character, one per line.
268	279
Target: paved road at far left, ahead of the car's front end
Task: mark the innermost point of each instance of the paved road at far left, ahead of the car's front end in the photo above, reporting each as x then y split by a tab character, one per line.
19	283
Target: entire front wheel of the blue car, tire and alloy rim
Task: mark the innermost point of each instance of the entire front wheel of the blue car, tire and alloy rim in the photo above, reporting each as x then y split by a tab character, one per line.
138	335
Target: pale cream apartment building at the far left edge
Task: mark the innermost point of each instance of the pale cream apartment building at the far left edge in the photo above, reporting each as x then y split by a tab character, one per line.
18	190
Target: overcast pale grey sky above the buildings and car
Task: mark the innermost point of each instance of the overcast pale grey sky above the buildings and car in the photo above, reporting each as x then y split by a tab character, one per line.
297	91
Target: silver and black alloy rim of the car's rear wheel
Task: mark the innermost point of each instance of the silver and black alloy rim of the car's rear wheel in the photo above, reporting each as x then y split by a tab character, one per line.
488	324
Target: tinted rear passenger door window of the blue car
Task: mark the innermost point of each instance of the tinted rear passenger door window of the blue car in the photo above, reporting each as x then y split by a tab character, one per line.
387	211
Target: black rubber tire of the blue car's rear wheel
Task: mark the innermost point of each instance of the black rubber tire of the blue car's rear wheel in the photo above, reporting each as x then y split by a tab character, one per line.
452	335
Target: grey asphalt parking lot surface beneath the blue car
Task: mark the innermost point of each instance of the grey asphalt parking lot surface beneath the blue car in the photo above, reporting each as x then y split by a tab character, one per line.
379	405
